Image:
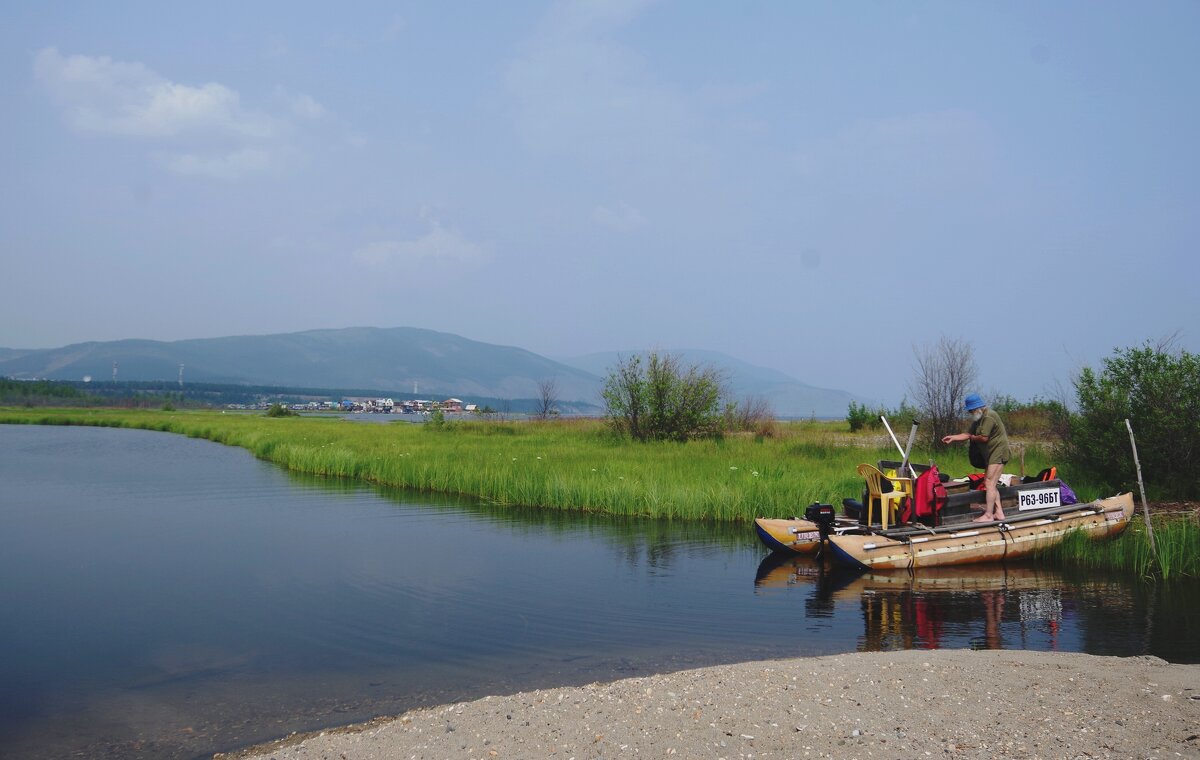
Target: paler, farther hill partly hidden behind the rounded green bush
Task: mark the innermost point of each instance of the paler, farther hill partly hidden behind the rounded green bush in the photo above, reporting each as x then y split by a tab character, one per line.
787	396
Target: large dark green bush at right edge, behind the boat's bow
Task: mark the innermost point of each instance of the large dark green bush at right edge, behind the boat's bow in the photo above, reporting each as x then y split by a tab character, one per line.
1160	394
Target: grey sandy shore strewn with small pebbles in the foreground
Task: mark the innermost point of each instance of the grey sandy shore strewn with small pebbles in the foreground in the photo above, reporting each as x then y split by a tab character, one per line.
916	704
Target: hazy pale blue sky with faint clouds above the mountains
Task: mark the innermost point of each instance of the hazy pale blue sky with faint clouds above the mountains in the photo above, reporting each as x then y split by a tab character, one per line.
825	189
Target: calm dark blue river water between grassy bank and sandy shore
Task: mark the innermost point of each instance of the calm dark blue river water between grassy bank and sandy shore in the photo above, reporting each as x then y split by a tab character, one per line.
163	597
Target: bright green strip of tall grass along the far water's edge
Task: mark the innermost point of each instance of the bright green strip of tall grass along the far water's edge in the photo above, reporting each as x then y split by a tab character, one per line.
565	465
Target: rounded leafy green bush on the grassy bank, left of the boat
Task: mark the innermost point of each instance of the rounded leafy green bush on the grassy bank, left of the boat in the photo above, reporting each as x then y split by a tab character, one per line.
662	399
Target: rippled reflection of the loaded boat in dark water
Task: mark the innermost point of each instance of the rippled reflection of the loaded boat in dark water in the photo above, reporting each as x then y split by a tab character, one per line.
986	607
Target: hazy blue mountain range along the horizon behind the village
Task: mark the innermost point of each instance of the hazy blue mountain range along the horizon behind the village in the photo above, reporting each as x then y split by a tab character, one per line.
389	360
